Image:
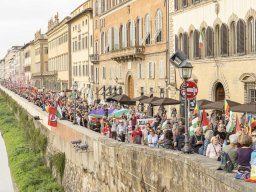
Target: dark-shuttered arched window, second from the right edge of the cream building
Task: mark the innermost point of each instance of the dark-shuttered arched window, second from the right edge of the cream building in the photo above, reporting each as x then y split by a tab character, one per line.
240	36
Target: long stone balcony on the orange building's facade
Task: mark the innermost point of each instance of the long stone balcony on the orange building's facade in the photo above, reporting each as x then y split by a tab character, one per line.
127	54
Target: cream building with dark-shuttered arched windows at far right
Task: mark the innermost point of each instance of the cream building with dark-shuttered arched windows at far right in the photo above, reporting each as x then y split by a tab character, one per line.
225	66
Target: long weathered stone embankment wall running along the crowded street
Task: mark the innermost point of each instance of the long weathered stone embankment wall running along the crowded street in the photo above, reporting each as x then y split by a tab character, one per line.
110	166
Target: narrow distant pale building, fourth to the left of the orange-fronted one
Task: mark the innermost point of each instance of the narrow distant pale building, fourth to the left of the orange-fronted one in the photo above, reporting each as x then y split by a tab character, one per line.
29	60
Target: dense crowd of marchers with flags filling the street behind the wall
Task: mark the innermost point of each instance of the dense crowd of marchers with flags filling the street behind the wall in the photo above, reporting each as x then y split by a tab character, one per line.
212	142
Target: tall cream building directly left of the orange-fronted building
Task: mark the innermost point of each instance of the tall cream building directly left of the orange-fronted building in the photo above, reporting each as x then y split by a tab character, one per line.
81	32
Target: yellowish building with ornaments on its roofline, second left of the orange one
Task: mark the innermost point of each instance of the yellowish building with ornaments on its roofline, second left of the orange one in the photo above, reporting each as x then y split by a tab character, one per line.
59	70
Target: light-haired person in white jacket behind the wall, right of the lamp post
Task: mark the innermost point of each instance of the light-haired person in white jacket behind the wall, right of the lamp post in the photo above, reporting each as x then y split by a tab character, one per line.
213	150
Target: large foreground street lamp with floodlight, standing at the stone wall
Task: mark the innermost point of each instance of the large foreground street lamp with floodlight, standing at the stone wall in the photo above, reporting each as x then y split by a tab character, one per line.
179	60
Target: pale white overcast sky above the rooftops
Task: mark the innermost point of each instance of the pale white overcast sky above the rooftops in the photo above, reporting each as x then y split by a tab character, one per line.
20	19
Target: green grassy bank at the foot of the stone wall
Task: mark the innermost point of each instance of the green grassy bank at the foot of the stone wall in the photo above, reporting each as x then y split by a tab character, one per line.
27	164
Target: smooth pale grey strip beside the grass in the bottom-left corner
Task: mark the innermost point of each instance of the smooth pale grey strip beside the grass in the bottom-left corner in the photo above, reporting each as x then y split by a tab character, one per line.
5	175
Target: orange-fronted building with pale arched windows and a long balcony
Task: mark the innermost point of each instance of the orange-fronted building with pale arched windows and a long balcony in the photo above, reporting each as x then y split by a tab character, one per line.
131	47
